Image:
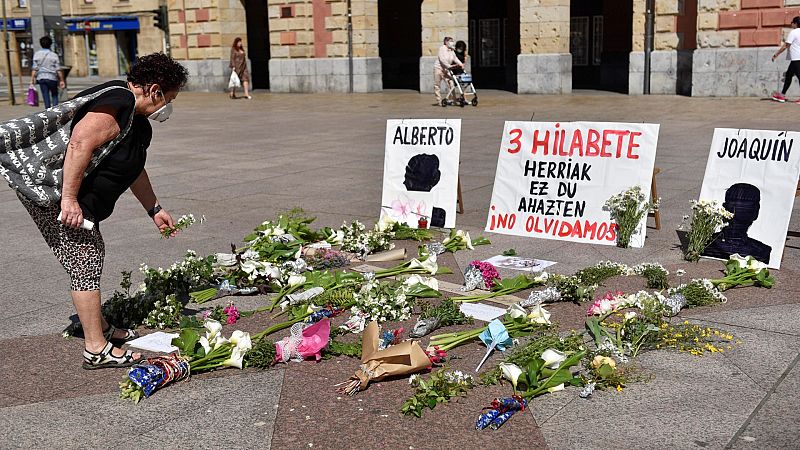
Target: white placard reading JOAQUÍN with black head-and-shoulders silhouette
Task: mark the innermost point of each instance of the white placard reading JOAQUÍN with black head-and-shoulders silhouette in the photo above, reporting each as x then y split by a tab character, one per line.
753	174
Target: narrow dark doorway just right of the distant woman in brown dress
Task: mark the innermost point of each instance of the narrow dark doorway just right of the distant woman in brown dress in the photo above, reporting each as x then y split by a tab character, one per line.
258	42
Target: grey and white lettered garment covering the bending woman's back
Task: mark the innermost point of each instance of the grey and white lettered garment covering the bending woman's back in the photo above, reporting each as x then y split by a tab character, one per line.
32	149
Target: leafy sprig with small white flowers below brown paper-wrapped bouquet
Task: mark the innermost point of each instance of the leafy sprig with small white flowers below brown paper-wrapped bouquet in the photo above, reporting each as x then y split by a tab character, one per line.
440	387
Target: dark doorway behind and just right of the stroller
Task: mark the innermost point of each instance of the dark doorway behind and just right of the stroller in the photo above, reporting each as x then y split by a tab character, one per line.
494	43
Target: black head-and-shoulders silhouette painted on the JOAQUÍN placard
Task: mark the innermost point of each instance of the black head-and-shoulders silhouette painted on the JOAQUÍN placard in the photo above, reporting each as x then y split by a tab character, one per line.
744	201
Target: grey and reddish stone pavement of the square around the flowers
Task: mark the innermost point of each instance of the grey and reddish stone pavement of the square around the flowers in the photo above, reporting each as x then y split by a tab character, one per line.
240	162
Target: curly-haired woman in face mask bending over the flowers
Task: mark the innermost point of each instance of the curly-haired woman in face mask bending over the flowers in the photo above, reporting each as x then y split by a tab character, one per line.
108	135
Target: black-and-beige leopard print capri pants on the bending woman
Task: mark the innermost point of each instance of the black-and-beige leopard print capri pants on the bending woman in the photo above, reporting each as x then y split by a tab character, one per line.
80	251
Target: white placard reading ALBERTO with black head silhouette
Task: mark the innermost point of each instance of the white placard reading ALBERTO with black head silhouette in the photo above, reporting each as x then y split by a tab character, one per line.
420	171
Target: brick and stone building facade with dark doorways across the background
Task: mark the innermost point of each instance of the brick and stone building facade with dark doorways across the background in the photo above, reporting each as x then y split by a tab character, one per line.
701	47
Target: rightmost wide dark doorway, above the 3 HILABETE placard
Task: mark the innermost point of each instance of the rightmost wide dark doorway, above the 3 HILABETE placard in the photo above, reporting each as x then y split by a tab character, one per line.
600	44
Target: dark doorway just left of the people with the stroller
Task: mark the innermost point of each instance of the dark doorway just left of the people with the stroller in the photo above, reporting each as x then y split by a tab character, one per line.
399	35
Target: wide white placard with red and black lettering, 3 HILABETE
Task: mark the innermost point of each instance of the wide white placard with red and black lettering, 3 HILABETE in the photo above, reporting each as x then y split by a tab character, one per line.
553	178
